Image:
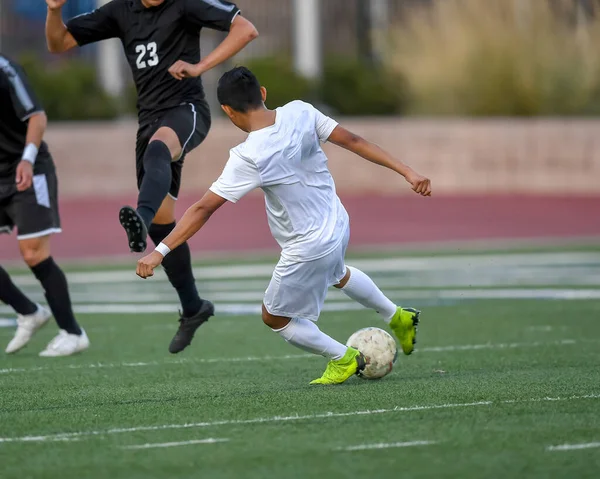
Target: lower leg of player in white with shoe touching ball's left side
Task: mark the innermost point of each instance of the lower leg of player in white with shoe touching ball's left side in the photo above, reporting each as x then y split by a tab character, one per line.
306	335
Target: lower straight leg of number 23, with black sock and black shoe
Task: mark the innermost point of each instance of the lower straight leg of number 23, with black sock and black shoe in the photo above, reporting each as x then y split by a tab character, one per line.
178	267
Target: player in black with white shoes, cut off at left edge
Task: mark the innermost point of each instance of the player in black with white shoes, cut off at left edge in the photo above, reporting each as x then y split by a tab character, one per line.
28	200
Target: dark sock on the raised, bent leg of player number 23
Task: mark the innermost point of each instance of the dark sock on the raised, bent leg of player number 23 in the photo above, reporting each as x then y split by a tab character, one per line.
156	182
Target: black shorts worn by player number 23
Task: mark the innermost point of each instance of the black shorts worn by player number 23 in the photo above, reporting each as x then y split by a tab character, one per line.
191	123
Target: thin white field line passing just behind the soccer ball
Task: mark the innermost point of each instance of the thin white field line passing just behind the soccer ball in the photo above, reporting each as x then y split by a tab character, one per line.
431	349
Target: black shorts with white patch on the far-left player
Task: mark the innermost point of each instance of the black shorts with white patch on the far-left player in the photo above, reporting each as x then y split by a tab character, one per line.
34	211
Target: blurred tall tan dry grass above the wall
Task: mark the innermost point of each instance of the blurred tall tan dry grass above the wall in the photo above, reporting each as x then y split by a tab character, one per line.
499	57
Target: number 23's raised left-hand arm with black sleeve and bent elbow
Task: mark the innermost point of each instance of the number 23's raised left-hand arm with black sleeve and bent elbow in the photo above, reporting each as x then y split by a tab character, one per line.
81	30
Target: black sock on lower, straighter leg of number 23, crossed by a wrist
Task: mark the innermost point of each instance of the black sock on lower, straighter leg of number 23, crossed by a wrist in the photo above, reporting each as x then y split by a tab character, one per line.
178	266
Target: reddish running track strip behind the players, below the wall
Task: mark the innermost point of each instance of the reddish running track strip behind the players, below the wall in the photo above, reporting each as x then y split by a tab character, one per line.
91	227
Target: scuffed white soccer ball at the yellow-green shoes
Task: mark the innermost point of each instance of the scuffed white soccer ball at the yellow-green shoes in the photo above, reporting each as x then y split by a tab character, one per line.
379	349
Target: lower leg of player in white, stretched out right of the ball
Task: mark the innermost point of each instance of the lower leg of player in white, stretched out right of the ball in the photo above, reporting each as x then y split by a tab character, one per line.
403	321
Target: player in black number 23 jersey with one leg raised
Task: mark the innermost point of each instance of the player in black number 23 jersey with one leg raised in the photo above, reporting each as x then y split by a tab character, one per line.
161	39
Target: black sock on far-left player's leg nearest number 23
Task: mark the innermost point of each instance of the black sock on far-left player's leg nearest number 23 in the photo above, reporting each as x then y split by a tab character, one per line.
54	282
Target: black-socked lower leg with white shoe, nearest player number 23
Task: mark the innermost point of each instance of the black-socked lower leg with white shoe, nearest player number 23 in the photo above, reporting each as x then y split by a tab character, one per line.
72	338
